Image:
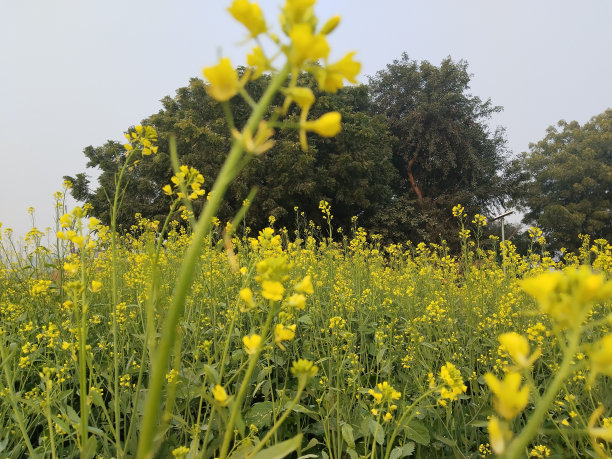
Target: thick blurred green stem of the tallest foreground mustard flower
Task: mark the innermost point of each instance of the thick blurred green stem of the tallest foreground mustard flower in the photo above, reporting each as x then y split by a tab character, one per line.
187	271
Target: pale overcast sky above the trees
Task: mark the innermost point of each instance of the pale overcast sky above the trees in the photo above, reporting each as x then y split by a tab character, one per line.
77	73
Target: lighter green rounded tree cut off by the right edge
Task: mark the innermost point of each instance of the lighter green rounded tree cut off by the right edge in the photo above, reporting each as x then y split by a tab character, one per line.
564	182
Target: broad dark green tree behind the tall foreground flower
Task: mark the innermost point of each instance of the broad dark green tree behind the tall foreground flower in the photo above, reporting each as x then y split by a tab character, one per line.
353	171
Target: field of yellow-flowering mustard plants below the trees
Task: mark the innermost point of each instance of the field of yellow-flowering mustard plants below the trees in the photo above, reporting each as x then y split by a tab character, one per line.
296	344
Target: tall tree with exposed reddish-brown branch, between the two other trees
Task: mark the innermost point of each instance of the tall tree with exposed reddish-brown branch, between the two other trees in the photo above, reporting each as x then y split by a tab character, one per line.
443	149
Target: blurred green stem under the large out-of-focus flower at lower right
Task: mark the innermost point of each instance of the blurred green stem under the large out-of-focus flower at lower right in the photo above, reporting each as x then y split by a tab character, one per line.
517	446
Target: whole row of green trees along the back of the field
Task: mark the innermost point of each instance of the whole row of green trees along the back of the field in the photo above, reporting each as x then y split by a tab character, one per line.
414	143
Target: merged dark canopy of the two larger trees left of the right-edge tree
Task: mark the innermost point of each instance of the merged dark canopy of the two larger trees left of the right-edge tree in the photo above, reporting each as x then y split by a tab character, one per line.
413	144
